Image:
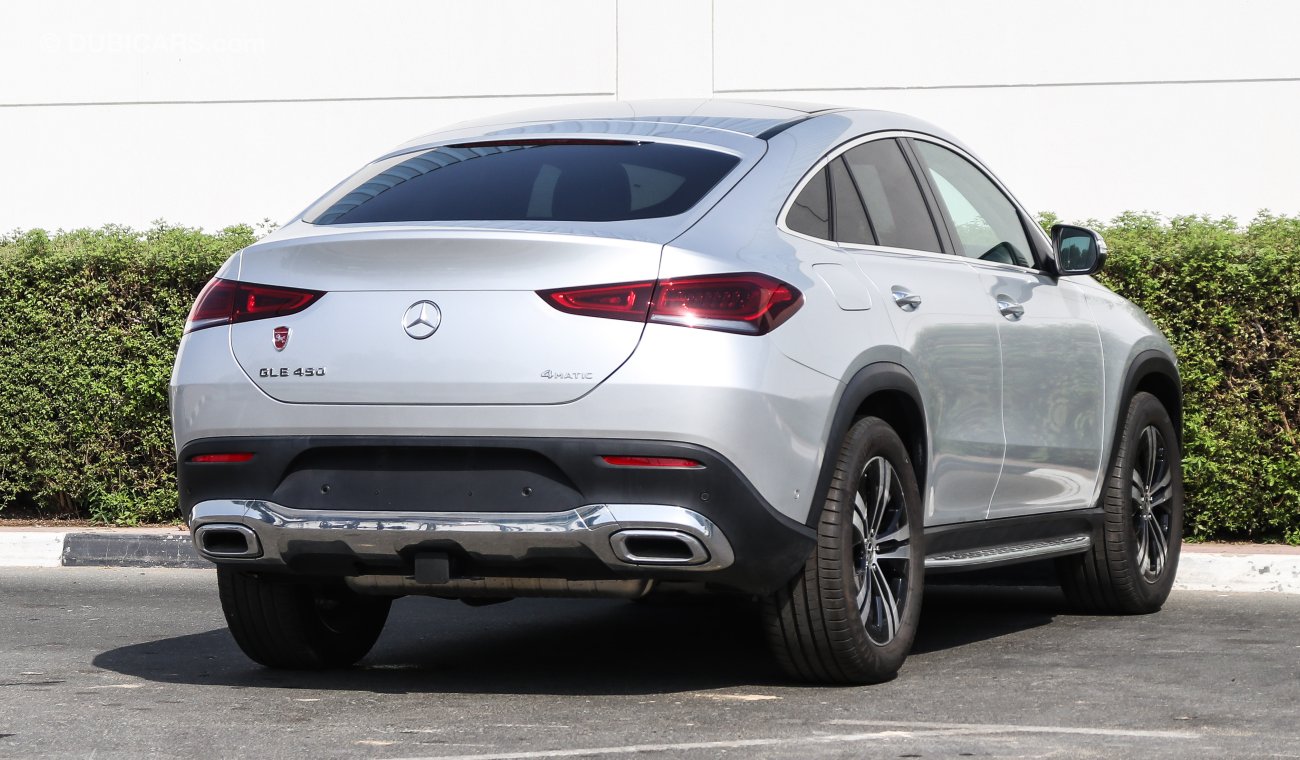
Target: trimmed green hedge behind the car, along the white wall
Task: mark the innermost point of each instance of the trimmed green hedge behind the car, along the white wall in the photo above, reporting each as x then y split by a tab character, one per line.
93	318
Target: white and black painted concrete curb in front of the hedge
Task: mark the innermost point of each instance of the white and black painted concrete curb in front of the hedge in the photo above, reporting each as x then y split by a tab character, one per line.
1227	568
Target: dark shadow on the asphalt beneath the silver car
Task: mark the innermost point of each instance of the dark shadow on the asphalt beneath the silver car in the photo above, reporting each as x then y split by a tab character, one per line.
569	646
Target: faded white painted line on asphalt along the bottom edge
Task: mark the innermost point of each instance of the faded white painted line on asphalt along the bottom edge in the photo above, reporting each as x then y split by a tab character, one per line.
898	731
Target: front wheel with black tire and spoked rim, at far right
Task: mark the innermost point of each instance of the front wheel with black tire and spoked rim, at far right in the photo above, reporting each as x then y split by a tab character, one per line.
1132	567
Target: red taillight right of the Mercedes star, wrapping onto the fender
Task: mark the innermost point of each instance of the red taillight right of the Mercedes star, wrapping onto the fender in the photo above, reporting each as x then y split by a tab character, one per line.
747	303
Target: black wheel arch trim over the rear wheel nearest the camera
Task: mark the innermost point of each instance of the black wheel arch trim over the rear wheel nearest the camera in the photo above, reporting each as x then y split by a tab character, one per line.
872	380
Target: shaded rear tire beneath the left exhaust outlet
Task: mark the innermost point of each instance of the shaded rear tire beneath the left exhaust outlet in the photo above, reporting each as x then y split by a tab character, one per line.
297	626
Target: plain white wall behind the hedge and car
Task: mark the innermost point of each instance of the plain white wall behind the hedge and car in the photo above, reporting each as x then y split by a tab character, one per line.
213	114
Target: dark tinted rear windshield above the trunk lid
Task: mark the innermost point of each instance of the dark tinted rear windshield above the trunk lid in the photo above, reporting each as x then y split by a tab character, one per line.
575	181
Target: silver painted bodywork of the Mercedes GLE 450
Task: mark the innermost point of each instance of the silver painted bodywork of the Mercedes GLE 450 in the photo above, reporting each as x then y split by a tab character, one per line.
1019	412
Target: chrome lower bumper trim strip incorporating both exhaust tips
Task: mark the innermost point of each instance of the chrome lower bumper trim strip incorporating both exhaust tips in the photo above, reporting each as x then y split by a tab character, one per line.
622	537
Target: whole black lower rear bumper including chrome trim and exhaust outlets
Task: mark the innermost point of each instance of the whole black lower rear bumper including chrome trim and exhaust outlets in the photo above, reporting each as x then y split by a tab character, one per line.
365	509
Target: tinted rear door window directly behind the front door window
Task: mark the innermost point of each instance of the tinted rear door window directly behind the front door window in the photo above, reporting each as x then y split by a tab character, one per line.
890	190
